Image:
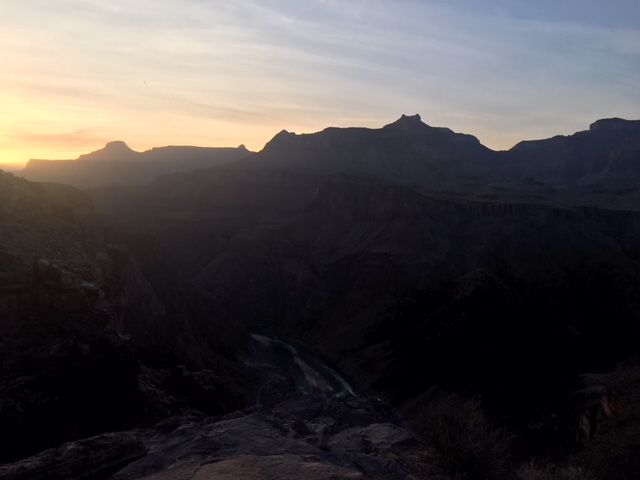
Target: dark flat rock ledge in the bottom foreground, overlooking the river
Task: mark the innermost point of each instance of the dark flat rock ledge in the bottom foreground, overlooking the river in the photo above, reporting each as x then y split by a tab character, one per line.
311	437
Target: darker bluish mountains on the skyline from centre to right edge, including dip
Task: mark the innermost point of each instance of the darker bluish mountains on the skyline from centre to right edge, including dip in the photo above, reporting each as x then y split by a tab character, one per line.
409	151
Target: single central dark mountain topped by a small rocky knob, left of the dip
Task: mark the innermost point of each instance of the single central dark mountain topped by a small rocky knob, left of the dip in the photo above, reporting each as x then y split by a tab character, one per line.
406	150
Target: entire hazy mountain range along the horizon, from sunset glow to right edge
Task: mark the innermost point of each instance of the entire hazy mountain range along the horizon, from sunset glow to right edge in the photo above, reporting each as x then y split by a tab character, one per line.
598	165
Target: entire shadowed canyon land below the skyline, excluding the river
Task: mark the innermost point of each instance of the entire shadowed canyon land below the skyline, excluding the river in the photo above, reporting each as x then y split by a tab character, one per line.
412	260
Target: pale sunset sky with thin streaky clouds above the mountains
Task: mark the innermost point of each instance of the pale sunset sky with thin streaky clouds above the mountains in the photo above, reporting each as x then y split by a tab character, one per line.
76	74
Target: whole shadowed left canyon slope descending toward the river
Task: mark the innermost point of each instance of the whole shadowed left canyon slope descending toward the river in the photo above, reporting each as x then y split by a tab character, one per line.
76	318
